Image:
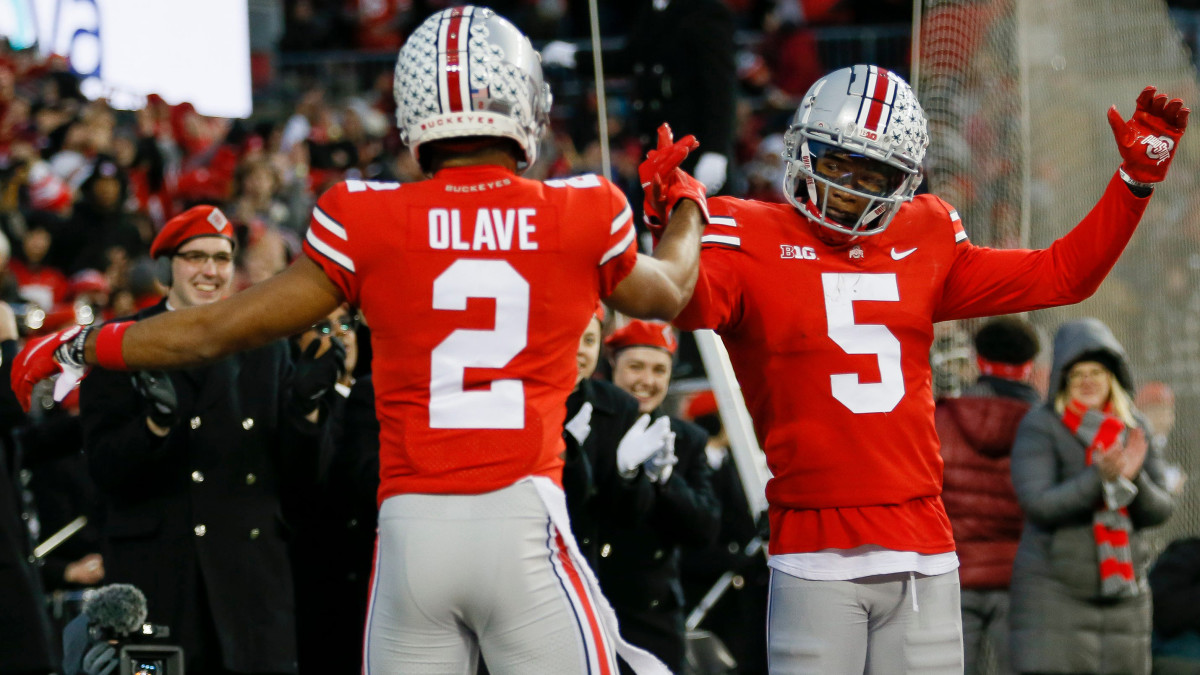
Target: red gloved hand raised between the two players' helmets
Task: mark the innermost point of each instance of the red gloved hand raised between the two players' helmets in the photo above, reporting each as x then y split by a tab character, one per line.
664	184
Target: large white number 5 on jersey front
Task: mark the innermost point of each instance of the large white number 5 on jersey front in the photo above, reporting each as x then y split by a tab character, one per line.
841	292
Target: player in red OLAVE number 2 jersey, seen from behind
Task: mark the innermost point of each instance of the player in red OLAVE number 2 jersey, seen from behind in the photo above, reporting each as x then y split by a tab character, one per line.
477	285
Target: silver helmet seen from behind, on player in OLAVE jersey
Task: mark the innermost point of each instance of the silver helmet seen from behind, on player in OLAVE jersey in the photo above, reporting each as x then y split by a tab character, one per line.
469	71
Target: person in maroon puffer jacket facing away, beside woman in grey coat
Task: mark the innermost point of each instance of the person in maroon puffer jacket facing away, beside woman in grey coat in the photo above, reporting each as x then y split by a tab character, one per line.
977	432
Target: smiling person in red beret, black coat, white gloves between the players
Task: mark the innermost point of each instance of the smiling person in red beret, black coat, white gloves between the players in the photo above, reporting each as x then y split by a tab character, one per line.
640	565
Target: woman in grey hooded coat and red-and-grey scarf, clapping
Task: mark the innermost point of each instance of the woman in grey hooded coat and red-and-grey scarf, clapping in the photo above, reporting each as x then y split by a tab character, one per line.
1089	485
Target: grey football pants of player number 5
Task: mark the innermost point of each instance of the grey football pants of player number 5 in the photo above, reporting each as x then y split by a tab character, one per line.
886	625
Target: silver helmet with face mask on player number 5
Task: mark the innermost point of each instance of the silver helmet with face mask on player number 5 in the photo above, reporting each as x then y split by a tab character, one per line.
856	117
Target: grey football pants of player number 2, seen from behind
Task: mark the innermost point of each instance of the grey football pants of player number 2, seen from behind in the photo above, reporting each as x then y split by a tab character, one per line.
461	574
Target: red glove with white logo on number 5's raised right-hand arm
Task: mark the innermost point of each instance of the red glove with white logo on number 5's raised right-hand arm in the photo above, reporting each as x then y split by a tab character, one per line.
1149	140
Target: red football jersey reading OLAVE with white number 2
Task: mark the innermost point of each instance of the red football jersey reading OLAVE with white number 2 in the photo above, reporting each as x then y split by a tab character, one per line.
477	286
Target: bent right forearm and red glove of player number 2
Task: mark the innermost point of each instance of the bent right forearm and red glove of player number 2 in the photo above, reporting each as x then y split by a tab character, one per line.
661	285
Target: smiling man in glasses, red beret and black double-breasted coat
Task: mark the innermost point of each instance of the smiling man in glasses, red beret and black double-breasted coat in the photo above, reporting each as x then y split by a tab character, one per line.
193	470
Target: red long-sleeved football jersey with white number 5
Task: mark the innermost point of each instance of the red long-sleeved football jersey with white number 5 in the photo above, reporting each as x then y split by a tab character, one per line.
831	347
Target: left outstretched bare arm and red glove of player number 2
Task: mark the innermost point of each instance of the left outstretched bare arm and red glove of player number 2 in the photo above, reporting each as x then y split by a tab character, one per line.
280	307
